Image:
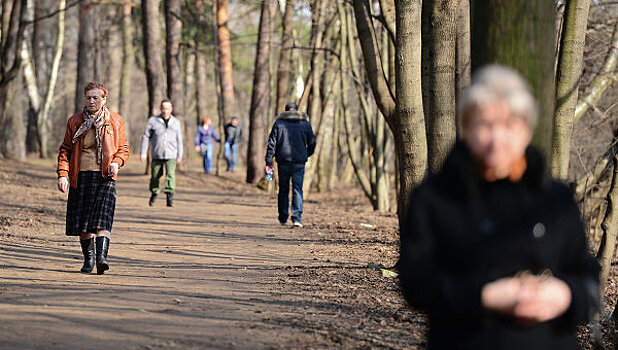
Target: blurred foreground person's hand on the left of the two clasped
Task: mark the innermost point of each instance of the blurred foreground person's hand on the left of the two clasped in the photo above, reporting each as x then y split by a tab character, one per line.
502	295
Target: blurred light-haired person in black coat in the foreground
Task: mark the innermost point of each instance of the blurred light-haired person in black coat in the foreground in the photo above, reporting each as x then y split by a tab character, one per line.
492	248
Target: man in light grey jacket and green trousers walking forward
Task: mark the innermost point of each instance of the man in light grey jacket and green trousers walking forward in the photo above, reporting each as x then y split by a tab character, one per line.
164	134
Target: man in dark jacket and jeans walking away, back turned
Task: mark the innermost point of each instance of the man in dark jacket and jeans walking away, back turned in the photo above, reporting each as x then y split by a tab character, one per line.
291	142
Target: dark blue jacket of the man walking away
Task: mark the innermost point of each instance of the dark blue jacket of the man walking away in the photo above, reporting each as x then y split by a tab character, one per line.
291	139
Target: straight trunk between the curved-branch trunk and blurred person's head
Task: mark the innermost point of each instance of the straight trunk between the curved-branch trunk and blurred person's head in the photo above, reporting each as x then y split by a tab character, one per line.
439	66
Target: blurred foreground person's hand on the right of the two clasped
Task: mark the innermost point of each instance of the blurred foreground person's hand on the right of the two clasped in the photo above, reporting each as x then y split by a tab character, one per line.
545	299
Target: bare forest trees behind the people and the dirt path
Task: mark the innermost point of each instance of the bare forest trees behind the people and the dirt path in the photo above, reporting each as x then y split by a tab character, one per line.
379	80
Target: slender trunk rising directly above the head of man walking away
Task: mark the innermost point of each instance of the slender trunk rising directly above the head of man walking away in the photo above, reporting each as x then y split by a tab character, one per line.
285	56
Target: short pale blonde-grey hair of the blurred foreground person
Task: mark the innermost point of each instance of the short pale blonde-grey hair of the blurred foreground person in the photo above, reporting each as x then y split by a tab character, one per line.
496	83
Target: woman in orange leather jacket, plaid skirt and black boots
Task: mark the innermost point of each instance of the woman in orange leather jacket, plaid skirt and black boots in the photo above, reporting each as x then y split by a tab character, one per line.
94	148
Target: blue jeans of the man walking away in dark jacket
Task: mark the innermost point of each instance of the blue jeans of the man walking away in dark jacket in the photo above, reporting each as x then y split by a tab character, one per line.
295	172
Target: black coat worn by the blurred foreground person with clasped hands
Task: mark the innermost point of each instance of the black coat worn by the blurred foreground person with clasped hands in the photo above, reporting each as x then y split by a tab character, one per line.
462	232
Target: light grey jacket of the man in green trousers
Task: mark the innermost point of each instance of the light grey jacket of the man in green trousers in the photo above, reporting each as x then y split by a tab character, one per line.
166	141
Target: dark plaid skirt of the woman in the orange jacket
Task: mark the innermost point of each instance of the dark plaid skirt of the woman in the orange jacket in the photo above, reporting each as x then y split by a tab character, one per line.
91	205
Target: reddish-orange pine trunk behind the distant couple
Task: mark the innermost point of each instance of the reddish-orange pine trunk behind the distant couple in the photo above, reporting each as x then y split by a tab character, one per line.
225	60
